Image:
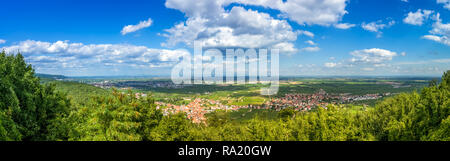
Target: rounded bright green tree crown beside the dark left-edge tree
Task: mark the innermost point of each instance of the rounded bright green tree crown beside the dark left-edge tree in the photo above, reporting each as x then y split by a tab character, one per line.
121	116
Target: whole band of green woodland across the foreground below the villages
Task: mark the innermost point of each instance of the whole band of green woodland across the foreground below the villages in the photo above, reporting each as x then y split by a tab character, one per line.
30	111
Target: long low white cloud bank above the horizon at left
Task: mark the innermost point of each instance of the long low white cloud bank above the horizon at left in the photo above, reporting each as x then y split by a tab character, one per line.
74	55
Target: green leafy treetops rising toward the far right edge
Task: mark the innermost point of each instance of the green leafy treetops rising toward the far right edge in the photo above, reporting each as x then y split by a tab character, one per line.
415	116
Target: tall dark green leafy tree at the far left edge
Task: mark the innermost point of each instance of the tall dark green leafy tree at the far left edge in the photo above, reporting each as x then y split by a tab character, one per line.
28	110
